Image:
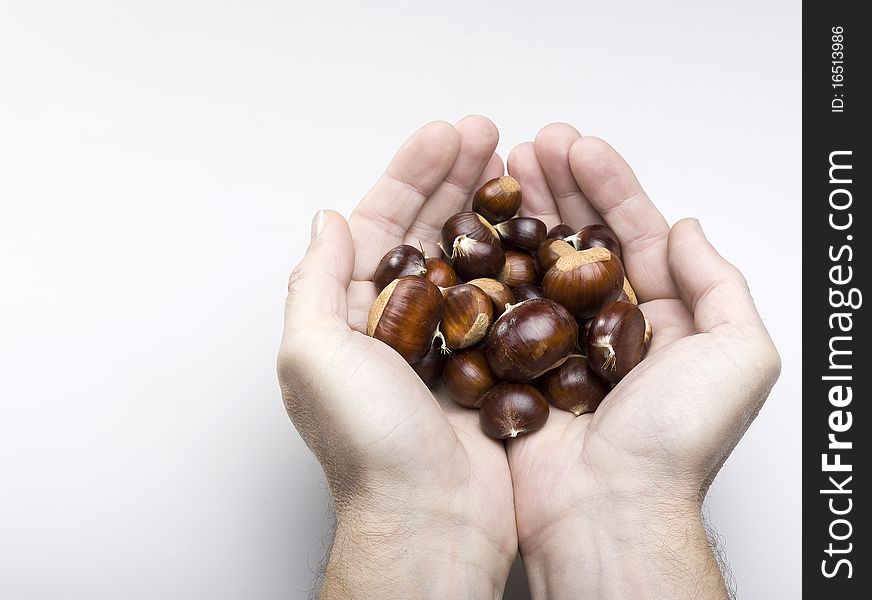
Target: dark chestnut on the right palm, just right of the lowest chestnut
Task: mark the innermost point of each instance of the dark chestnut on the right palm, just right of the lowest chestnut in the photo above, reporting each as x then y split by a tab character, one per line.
574	386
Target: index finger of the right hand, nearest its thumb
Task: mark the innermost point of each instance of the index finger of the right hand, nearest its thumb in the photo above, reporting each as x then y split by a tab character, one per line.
613	190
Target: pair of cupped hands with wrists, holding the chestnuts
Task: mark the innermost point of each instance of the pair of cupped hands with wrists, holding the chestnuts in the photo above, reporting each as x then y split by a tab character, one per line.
605	505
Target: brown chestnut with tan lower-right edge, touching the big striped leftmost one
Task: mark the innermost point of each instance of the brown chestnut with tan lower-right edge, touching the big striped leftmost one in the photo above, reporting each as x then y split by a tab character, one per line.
468	314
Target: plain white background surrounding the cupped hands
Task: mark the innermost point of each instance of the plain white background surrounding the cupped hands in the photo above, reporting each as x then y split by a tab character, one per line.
159	166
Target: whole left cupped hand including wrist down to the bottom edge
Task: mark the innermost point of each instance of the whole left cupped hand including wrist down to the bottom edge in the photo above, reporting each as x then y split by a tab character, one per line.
423	498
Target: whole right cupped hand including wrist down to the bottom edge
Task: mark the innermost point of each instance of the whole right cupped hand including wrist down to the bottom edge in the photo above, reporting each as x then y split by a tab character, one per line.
608	504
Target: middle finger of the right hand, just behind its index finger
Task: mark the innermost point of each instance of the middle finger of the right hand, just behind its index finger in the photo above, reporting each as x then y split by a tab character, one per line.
552	150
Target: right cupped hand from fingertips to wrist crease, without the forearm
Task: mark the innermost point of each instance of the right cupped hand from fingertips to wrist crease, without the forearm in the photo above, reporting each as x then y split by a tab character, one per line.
670	424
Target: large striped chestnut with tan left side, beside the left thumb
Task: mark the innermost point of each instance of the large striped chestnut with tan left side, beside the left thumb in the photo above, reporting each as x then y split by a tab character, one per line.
405	316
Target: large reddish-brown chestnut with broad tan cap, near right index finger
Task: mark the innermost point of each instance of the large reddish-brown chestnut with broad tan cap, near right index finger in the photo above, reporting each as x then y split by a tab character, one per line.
584	281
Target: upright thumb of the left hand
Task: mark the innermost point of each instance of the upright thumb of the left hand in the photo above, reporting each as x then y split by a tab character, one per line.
318	285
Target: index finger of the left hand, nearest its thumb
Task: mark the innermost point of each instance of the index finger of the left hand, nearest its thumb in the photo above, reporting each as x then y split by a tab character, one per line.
384	215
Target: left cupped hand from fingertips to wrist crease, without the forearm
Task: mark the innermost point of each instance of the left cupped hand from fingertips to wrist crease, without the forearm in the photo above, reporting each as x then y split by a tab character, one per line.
362	409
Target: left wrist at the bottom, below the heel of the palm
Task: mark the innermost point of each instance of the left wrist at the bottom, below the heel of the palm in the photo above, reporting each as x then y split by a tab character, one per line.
403	553
